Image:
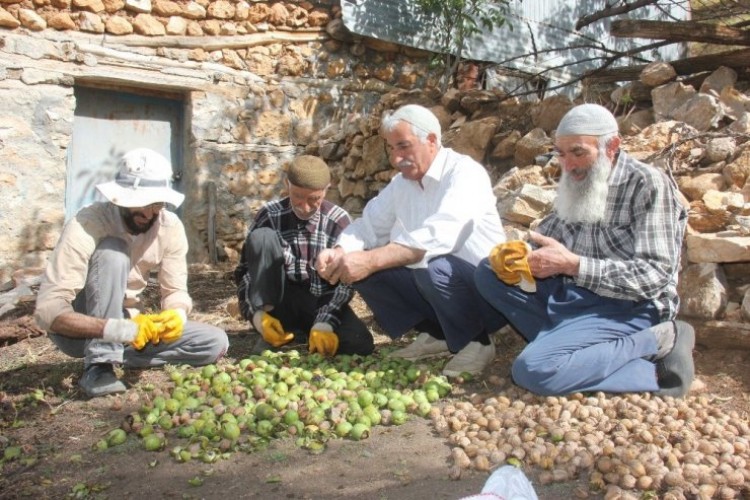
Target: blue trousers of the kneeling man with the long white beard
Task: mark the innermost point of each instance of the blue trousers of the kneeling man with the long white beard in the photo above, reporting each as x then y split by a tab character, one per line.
578	340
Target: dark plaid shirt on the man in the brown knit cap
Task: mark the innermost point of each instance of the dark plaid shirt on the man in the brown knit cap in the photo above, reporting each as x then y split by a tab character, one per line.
302	241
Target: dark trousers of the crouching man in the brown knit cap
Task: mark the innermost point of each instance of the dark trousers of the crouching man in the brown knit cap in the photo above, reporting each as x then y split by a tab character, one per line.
293	303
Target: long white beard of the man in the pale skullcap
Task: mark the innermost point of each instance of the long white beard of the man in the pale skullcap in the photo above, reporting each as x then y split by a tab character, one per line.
585	200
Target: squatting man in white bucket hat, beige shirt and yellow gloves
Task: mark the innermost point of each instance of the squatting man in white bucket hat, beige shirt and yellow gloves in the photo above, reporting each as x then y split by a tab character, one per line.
88	300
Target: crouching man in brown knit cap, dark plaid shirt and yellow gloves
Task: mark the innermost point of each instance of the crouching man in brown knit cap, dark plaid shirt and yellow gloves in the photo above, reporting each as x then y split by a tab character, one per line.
278	288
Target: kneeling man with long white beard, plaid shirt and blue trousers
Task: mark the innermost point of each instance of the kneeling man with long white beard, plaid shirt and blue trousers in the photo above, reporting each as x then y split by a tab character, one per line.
605	264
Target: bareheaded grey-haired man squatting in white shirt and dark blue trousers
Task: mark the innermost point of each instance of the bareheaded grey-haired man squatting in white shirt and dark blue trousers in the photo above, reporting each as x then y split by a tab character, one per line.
413	253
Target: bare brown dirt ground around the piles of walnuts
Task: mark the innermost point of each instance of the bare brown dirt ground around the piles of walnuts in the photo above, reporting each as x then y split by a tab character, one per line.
42	410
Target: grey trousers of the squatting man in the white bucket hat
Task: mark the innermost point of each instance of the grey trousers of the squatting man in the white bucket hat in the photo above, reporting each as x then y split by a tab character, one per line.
103	297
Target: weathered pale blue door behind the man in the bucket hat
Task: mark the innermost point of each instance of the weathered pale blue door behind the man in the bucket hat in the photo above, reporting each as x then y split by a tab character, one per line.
109	123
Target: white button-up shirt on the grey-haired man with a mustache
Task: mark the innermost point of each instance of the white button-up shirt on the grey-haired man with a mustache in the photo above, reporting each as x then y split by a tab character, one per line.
453	211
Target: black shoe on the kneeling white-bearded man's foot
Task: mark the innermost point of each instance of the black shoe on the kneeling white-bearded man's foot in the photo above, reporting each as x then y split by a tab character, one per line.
675	371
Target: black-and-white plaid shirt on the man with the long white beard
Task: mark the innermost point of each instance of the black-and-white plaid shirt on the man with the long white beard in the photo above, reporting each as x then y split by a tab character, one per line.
634	253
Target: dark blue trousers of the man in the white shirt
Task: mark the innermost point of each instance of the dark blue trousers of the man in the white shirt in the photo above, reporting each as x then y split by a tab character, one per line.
443	294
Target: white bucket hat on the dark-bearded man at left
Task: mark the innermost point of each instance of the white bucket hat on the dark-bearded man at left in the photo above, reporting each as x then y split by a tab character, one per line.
144	177
